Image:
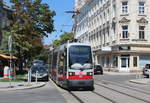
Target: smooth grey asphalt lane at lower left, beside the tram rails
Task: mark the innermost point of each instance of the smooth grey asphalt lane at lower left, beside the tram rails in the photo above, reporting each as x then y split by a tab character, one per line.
46	94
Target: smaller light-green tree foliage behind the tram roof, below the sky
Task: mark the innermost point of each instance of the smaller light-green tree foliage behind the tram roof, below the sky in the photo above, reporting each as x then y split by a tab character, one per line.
63	39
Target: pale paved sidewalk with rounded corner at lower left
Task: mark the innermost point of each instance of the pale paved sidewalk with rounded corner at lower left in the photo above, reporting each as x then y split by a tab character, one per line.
11	86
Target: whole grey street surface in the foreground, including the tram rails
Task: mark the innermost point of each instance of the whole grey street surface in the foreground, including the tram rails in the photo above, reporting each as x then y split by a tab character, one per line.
104	92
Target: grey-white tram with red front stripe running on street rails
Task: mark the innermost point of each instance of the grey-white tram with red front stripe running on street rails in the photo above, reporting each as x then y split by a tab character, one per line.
72	66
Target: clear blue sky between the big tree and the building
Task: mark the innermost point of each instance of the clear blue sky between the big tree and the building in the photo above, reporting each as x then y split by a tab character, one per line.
61	18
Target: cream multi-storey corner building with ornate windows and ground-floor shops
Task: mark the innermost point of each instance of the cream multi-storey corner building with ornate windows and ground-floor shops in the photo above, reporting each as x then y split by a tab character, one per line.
118	30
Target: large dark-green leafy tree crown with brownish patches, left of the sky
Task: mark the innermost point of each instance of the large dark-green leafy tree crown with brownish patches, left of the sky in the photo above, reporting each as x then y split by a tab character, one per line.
32	21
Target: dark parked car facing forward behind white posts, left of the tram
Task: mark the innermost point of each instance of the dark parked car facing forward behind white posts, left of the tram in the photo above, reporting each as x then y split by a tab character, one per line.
42	73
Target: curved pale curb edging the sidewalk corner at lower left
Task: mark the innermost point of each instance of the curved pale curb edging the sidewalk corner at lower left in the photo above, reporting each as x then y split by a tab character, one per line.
24	88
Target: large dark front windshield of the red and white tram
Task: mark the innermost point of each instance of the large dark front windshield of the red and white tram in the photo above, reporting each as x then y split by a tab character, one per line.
80	57
